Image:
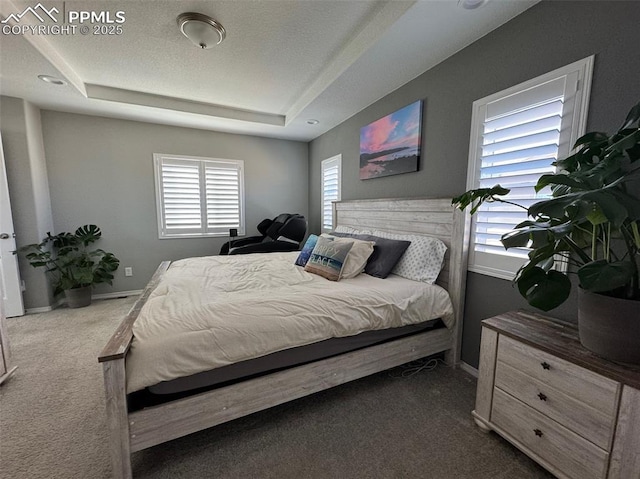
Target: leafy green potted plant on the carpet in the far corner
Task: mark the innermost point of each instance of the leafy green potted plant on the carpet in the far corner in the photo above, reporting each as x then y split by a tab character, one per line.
72	266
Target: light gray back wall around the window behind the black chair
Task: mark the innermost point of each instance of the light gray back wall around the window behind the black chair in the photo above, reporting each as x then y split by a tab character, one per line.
101	171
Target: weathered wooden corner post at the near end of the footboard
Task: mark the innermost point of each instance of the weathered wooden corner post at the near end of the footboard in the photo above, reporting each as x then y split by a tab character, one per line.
117	418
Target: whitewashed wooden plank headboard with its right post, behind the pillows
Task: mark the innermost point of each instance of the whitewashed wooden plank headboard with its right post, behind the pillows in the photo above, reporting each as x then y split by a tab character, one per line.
424	216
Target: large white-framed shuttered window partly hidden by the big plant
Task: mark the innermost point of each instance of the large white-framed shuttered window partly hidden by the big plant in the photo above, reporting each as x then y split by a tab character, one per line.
516	135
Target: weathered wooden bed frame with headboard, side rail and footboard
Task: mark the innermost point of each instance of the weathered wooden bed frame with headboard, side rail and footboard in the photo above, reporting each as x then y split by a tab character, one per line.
131	432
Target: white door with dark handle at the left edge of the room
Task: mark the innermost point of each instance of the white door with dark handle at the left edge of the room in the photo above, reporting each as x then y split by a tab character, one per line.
10	290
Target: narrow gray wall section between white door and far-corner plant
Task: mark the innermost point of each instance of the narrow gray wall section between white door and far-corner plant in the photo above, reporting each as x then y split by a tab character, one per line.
28	188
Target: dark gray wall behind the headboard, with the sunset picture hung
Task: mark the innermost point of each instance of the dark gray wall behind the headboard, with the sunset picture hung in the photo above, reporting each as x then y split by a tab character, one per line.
547	36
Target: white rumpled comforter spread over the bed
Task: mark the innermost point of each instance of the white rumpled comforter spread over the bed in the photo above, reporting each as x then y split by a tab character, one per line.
213	311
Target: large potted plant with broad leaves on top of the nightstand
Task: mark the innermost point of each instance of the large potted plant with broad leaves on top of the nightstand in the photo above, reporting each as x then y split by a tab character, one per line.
591	224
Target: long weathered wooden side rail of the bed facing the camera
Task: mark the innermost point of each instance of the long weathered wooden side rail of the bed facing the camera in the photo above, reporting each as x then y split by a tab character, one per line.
155	425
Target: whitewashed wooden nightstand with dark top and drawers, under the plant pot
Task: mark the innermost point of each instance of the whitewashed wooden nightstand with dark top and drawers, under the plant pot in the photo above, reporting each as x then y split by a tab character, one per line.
574	413
